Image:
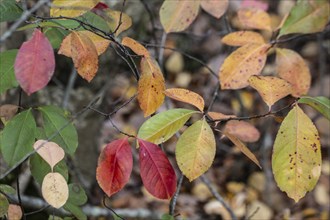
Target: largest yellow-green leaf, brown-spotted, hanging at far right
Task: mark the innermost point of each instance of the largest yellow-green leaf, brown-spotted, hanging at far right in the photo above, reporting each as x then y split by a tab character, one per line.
296	160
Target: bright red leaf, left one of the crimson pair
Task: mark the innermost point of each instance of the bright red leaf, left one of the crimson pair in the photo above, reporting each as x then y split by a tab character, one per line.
114	166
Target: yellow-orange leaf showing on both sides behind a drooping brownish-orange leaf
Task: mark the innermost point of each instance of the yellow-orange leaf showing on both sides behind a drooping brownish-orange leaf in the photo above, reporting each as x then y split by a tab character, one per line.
99	42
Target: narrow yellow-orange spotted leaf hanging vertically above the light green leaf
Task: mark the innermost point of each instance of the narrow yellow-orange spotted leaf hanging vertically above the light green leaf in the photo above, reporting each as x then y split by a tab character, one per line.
151	86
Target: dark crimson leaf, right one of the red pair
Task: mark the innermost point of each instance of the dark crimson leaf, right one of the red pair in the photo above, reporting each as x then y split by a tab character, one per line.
157	173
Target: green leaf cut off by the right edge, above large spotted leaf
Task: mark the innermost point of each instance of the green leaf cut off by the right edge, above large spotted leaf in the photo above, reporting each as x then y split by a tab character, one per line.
320	104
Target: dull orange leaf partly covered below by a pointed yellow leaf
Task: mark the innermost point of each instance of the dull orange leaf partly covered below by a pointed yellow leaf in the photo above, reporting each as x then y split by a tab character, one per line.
292	67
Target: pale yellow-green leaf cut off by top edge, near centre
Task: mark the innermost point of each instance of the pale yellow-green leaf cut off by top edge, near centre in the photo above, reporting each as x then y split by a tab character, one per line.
177	15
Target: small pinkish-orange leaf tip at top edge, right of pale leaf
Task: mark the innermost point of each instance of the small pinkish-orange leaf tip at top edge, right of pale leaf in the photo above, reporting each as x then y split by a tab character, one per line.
215	8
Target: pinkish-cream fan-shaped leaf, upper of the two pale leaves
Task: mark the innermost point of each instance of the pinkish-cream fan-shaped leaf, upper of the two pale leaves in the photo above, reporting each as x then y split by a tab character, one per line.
49	151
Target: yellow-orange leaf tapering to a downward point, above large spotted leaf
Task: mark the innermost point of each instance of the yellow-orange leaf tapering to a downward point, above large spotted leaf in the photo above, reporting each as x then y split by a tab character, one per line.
270	88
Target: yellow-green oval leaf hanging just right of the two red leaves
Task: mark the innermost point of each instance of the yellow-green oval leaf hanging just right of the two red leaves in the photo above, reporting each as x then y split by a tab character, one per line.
195	150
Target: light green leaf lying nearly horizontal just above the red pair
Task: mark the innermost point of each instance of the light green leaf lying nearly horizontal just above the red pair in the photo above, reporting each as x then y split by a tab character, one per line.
164	125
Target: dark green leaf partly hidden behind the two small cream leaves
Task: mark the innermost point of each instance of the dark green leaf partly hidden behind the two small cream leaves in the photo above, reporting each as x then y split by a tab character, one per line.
40	168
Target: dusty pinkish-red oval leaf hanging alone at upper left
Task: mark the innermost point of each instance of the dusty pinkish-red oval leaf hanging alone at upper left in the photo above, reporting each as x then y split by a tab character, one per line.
35	63
